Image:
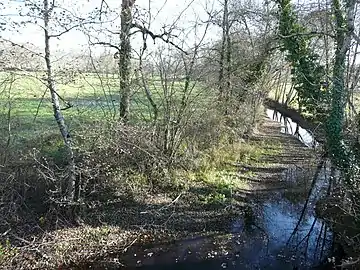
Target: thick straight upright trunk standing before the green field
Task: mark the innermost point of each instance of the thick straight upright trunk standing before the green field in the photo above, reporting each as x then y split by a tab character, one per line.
125	58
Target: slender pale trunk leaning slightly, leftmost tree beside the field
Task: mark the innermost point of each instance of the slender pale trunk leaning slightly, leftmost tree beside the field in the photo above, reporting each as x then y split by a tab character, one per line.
72	186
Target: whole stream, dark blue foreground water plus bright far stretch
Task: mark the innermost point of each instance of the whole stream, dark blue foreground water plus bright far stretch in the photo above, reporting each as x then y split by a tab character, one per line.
276	232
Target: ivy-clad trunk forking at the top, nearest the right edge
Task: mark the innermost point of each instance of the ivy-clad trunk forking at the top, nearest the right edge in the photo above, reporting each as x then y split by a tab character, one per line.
344	31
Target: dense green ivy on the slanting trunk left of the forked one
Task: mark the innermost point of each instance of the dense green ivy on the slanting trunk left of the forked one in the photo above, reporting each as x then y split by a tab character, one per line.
307	73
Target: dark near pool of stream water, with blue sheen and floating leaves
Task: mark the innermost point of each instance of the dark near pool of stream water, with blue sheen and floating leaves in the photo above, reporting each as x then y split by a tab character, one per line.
268	241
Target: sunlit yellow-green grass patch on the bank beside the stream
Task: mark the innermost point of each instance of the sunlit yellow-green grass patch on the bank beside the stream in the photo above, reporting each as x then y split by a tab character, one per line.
219	172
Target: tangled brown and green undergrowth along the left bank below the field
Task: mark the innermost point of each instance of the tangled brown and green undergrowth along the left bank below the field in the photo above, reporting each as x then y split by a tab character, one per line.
120	166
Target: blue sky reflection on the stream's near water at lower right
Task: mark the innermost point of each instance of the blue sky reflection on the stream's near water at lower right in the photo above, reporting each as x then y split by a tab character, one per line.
276	245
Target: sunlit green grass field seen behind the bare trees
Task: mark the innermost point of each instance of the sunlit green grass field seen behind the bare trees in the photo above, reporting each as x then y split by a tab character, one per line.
25	99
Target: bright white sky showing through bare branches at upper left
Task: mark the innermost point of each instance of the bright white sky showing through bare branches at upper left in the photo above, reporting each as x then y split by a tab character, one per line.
168	11
